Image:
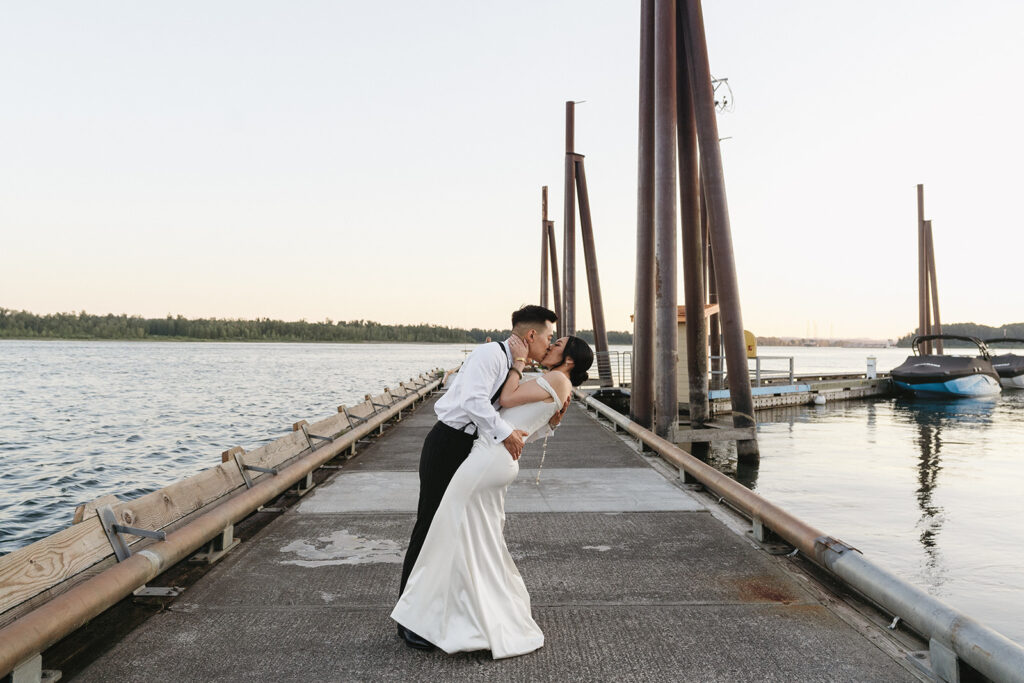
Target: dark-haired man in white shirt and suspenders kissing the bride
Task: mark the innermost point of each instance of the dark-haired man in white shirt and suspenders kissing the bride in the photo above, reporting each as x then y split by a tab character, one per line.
470	411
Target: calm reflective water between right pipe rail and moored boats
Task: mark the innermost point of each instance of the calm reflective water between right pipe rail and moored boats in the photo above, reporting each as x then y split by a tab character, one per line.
929	489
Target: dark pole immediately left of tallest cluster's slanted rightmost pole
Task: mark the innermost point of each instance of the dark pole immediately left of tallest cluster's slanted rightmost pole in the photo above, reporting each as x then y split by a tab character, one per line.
694	271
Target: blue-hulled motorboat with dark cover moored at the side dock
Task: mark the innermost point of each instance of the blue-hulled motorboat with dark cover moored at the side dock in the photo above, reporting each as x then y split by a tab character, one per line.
935	376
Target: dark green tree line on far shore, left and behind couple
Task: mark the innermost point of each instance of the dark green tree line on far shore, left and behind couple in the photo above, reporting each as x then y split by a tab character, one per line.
25	325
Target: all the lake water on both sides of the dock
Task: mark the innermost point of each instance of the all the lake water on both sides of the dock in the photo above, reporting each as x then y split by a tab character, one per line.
930	490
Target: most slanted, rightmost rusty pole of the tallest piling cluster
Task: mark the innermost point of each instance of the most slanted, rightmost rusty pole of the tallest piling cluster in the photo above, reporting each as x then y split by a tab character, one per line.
718	223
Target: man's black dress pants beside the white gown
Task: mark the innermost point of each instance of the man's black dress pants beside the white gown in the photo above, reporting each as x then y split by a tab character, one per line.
444	451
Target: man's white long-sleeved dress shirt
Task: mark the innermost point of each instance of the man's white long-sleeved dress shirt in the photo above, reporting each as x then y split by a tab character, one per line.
467	401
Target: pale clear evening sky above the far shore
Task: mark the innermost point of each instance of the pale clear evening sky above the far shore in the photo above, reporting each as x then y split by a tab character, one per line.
385	161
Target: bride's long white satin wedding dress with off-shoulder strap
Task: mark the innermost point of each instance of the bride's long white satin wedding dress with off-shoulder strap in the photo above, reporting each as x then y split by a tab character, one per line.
465	592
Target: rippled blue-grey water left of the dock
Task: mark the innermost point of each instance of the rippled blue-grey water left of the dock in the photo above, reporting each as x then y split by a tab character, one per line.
80	420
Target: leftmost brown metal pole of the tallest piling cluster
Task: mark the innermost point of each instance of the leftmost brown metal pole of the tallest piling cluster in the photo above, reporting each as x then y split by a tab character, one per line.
643	385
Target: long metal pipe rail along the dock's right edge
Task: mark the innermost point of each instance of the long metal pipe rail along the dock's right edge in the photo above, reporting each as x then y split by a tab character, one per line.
951	633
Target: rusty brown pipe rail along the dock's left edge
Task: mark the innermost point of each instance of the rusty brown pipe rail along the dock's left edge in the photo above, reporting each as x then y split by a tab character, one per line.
67	613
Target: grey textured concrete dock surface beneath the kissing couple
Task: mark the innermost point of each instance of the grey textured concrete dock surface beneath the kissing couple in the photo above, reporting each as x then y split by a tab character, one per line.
632	579
